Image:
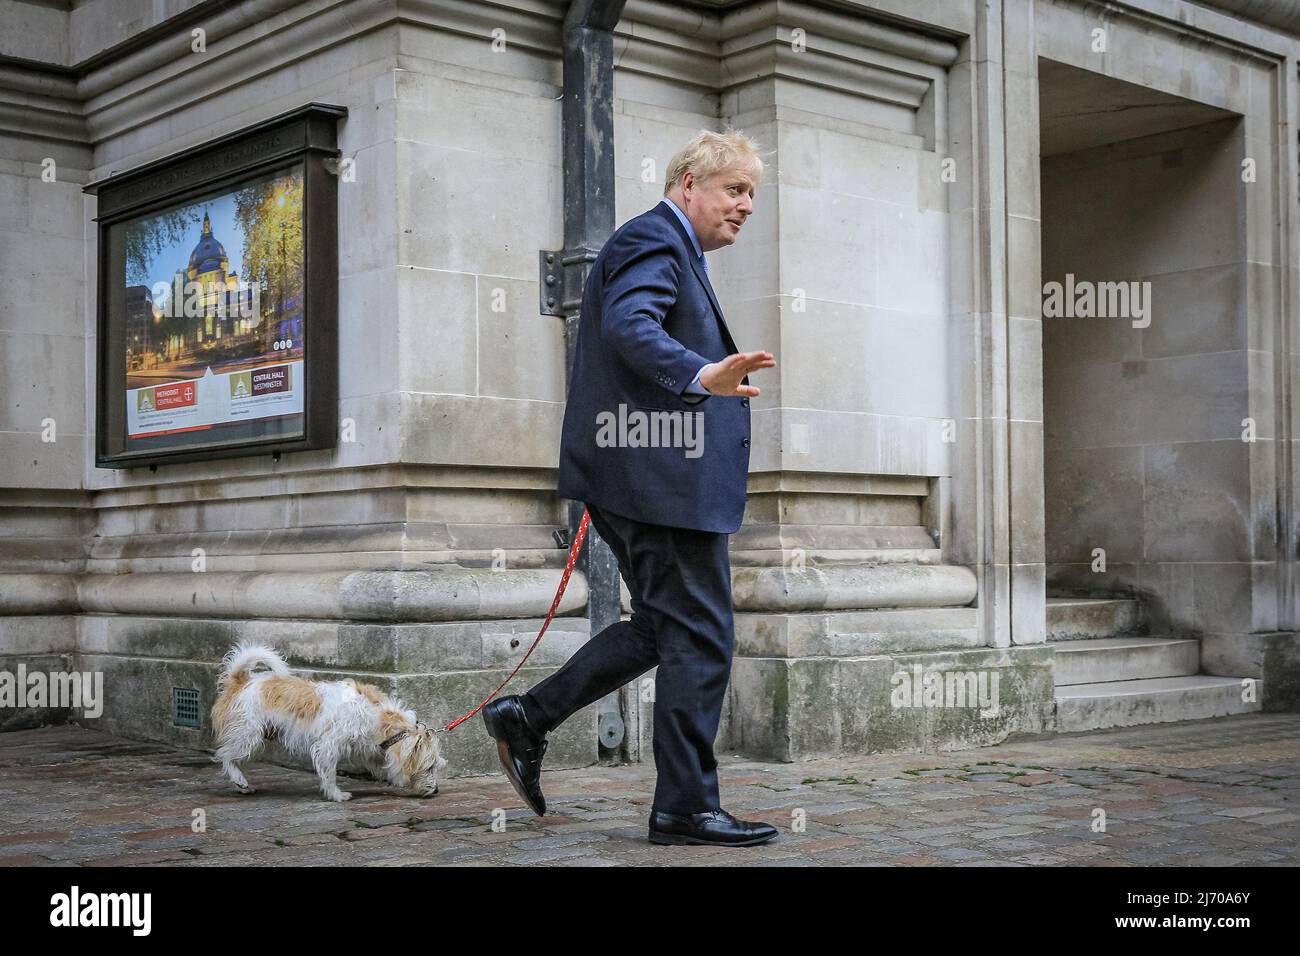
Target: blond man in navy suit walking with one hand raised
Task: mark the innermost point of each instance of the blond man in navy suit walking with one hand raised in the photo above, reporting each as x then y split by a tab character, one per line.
656	443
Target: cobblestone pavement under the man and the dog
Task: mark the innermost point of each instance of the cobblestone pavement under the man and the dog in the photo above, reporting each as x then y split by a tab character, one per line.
1206	793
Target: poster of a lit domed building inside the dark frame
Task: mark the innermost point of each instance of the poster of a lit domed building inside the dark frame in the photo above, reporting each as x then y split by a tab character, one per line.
215	326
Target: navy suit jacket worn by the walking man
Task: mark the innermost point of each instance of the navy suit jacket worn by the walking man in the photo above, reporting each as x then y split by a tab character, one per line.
649	322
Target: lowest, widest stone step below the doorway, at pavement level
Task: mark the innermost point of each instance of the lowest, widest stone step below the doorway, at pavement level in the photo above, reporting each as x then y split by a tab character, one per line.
1154	700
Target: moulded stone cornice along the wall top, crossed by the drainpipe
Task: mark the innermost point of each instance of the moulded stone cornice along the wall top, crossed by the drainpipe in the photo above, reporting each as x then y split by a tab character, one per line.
146	77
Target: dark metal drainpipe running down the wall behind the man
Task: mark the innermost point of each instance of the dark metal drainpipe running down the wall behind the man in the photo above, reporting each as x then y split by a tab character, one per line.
588	119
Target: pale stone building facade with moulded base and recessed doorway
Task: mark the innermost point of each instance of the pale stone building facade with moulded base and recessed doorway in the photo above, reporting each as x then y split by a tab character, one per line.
1091	512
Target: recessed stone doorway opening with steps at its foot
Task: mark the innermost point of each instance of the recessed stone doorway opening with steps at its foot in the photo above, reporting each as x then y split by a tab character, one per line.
1146	388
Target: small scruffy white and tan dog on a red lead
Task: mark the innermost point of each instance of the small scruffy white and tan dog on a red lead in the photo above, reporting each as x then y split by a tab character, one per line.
330	720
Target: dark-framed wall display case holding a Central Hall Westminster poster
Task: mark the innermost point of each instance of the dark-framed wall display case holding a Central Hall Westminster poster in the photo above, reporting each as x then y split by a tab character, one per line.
219	299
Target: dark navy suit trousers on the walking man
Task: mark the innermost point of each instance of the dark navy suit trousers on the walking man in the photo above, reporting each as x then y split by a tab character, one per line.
682	621
